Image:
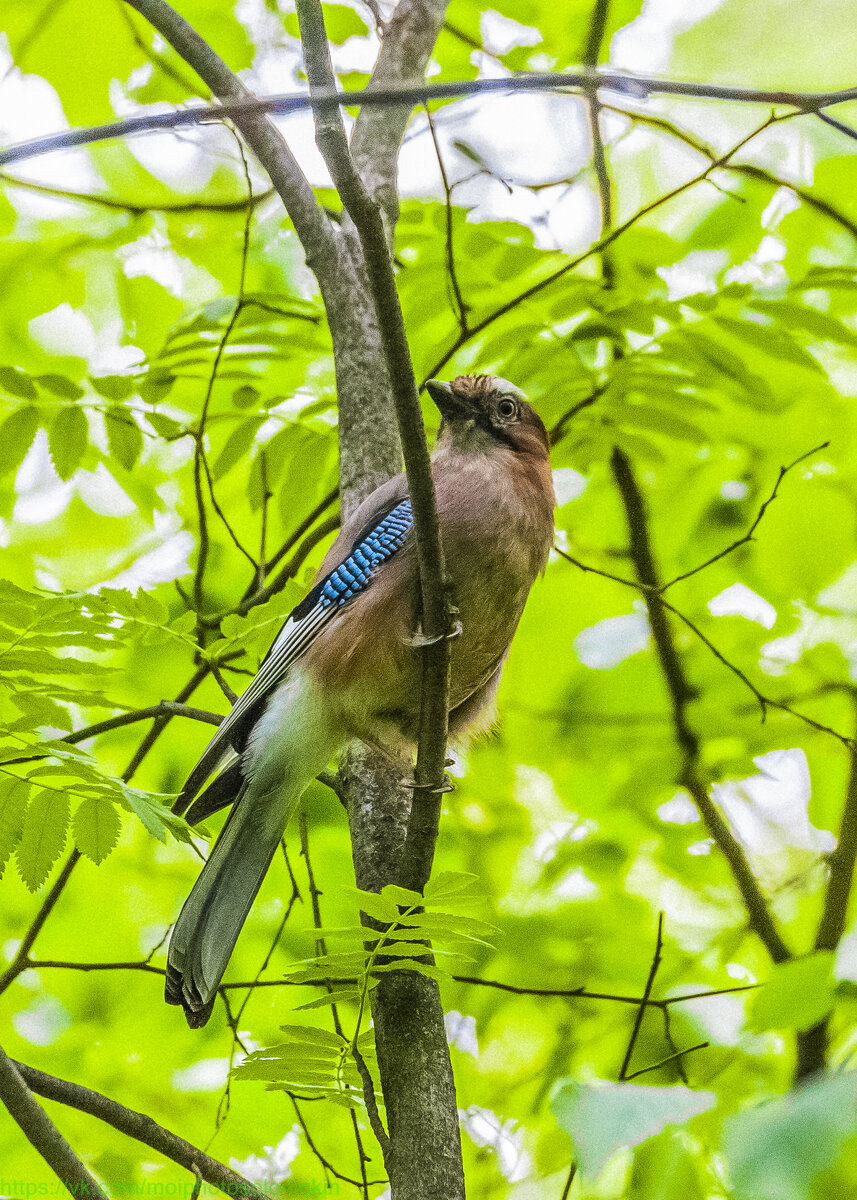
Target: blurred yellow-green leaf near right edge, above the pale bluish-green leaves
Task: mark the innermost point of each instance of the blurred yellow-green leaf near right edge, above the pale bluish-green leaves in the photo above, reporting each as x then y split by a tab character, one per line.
798	995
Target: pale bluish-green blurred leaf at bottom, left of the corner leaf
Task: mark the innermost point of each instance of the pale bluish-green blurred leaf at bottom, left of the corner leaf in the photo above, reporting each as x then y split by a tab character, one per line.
601	1118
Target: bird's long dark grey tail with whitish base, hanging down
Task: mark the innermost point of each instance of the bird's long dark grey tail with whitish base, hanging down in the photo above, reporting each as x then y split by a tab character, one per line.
284	759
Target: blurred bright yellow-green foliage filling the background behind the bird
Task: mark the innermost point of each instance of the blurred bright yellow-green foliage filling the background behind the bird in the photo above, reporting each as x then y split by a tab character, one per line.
712	343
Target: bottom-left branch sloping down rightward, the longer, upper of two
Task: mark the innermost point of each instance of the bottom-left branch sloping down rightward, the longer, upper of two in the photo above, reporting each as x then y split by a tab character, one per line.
140	1127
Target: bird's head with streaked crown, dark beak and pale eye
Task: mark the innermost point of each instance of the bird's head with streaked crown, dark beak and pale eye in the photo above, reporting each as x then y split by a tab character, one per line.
482	412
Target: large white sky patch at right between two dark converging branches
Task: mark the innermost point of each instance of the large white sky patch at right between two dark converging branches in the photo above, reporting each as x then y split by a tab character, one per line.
770	812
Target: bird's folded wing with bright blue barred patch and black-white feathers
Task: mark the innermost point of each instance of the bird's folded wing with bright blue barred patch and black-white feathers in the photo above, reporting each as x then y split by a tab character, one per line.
373	547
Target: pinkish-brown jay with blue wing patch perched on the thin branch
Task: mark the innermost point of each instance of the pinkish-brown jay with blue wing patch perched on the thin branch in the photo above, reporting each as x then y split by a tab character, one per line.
346	663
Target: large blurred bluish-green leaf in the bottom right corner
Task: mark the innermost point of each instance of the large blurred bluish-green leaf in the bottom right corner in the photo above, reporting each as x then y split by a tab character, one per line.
778	1150
